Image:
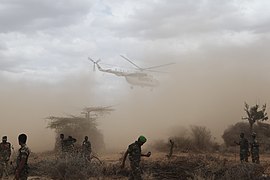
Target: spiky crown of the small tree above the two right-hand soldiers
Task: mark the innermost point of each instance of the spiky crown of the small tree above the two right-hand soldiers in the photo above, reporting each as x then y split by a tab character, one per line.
254	114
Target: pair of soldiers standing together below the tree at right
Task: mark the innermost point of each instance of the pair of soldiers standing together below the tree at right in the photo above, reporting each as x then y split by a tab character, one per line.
244	148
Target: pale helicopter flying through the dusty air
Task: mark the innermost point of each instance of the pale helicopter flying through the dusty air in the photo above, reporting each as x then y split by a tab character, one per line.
137	78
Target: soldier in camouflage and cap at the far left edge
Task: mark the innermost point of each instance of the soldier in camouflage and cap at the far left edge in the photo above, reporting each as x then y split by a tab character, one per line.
5	152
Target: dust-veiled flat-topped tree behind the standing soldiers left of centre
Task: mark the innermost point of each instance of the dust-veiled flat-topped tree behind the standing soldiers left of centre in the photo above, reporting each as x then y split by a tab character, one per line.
78	126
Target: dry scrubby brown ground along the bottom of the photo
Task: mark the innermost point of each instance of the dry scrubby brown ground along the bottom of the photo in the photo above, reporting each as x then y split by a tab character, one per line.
45	166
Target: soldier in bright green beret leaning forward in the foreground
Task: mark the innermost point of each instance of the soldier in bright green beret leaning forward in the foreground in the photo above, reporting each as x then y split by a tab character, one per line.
134	152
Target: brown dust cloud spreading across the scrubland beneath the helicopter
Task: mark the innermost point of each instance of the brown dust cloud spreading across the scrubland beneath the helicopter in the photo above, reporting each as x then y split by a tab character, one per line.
206	88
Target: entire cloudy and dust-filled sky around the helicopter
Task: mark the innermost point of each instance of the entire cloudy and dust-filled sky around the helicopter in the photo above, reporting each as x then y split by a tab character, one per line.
221	51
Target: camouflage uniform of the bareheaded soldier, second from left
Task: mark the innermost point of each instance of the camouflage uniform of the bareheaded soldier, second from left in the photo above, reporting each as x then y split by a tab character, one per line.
24	152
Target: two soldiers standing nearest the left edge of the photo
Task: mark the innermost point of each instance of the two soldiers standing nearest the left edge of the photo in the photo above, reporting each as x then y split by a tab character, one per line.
21	169
